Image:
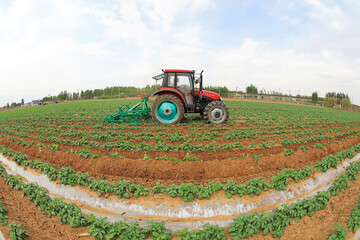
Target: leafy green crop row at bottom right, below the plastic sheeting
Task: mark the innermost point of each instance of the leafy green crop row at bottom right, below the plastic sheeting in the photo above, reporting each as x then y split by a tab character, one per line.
276	221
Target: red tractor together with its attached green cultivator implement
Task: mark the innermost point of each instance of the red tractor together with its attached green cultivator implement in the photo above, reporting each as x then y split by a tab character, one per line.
181	92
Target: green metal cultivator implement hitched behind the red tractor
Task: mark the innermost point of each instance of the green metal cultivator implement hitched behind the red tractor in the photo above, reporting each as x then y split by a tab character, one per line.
127	114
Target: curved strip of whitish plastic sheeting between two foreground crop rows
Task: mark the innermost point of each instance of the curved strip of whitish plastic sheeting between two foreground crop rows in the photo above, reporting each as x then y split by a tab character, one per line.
191	209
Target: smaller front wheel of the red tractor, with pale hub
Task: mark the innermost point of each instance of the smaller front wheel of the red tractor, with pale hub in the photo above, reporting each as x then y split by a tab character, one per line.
216	112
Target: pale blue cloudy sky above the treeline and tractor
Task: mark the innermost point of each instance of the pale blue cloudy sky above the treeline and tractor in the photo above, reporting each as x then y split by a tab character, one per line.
292	46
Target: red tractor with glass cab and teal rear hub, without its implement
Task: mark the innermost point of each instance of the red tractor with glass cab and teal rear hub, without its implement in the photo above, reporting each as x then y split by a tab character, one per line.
178	95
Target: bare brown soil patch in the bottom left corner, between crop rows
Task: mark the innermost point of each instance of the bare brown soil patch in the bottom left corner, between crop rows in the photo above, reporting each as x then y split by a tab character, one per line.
23	211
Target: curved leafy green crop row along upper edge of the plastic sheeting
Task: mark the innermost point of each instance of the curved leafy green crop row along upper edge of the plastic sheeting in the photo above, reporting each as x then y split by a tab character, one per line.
188	192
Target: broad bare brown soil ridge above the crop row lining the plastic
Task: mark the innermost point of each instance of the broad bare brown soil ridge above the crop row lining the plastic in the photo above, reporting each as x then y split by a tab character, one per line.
150	171
